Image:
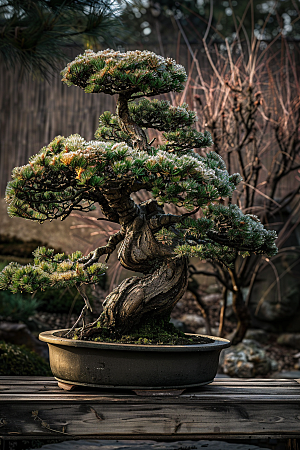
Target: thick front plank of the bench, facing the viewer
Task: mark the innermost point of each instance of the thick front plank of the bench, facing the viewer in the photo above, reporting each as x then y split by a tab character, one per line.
143	419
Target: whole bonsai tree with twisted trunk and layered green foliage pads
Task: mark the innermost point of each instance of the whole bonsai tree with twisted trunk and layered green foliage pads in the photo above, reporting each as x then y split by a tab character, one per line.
72	174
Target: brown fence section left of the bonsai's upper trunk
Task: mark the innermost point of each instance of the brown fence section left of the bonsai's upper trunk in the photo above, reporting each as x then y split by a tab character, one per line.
33	113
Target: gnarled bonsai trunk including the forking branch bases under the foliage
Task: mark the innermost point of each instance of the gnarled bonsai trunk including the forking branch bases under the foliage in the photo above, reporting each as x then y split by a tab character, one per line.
165	278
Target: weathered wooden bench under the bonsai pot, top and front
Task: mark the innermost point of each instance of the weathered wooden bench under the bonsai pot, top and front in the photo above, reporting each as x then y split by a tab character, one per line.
229	408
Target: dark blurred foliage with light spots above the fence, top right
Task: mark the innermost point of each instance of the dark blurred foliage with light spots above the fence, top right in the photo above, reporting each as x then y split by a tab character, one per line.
155	22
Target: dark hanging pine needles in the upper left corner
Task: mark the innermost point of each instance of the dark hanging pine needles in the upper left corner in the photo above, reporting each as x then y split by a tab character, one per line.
36	33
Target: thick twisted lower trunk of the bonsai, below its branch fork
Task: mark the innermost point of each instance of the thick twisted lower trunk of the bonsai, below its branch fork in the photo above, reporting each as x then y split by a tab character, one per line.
153	295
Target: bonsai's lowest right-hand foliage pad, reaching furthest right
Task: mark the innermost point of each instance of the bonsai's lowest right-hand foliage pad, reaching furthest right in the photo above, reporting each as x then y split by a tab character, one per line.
220	235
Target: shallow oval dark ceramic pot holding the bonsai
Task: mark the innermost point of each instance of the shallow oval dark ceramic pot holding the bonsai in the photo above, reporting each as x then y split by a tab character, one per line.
132	366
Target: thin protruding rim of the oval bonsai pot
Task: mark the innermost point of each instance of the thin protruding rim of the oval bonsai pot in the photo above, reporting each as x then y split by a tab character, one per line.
52	337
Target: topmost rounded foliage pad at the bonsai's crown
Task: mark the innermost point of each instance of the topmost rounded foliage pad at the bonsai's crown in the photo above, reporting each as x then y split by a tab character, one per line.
137	73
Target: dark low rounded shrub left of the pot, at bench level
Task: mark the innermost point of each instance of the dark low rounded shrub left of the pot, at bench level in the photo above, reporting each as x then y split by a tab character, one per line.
19	361
